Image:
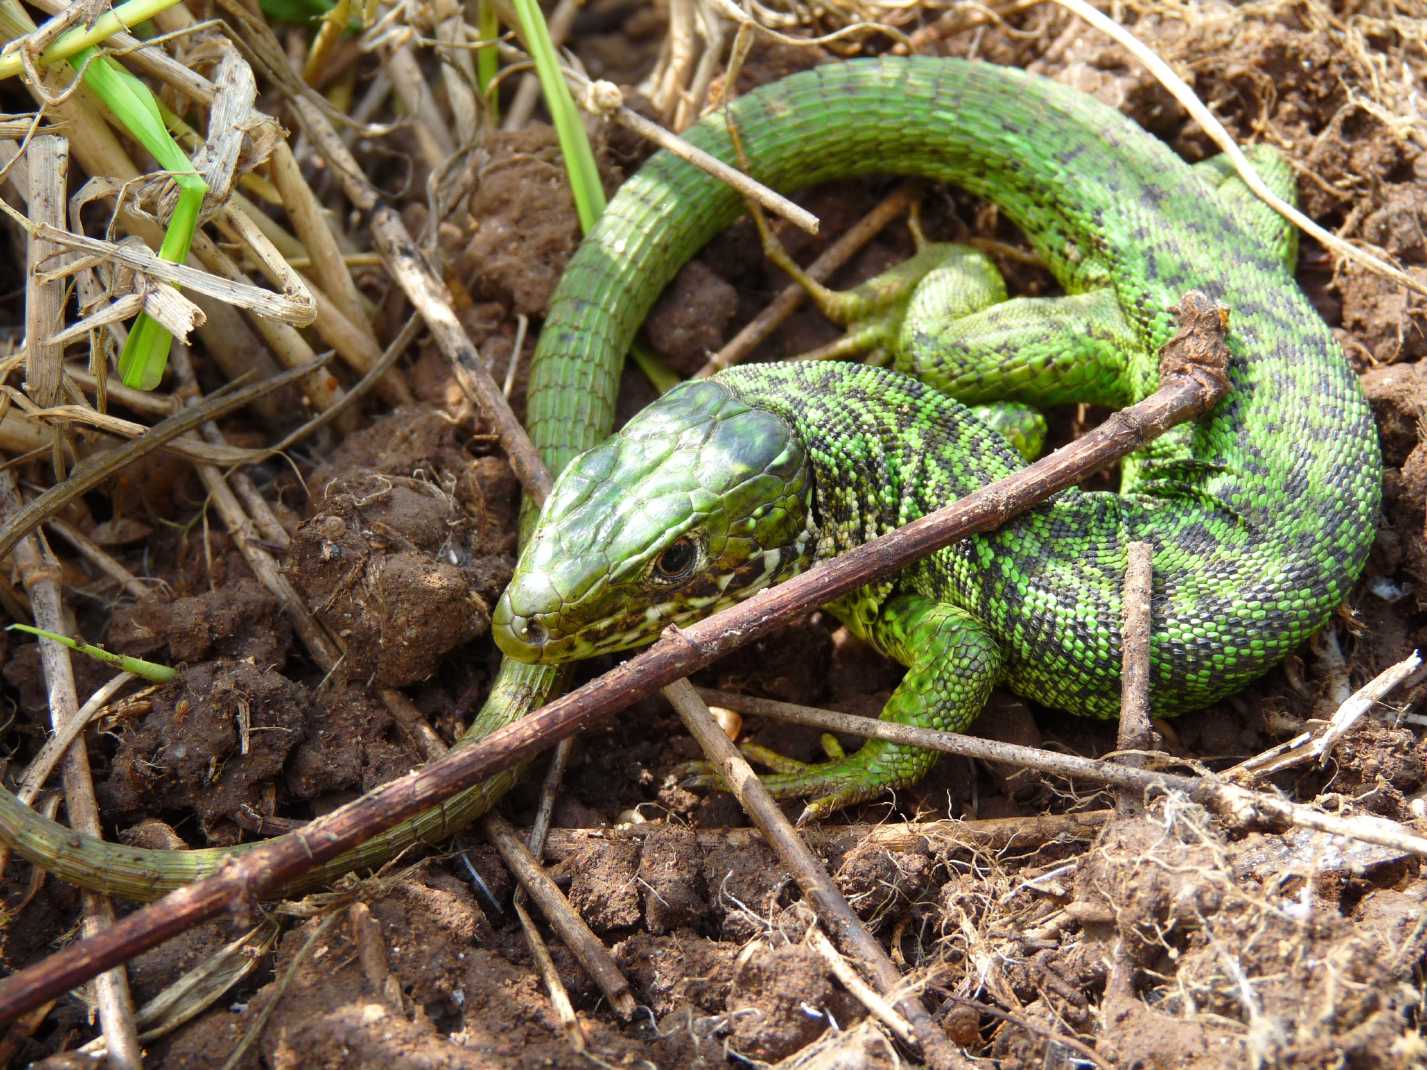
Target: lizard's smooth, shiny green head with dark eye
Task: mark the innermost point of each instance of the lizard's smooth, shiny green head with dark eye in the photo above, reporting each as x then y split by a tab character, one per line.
699	503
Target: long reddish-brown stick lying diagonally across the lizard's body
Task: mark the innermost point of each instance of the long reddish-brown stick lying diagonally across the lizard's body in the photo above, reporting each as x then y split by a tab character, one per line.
1187	390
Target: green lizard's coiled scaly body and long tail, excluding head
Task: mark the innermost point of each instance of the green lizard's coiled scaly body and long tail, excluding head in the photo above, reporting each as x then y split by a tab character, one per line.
1261	516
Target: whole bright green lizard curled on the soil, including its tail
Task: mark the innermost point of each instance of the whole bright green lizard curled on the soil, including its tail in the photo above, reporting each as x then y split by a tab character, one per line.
1262	516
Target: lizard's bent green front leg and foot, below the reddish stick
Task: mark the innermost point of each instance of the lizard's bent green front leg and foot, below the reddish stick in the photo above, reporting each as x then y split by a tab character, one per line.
953	666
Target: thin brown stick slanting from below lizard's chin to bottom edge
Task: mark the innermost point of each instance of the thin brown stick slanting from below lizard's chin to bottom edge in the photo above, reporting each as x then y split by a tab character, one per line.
817	887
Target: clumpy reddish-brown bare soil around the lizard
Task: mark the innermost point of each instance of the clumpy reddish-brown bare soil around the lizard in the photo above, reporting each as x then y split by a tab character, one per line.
1168	939
